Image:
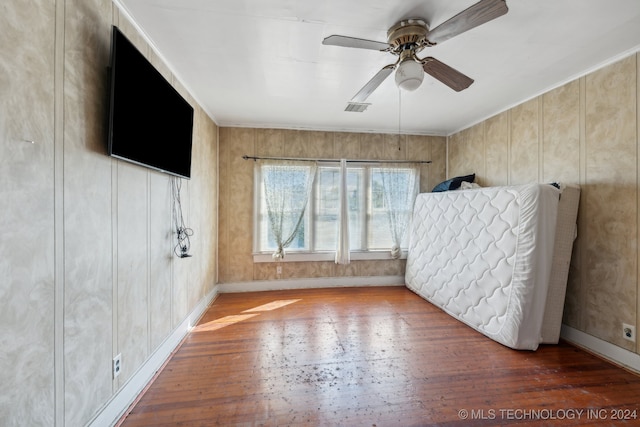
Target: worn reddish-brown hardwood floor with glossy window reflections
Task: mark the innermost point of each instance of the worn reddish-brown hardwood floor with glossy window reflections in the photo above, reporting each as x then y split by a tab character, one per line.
371	357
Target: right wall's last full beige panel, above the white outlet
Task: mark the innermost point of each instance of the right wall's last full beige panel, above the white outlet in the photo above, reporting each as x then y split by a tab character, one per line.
610	250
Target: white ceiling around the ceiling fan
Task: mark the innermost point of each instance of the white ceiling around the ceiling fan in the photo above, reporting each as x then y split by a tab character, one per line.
261	63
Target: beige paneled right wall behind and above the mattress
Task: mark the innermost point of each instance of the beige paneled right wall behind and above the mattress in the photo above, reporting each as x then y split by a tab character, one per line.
585	133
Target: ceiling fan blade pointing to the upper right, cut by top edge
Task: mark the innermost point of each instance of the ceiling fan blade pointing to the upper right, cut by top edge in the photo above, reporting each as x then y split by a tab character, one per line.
478	14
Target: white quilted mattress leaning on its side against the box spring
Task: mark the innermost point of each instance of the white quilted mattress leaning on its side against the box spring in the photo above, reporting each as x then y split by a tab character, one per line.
484	256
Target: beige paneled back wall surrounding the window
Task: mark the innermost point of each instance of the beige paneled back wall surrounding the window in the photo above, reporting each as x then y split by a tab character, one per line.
236	192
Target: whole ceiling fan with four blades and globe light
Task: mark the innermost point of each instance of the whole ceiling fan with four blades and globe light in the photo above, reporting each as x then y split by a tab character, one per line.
408	37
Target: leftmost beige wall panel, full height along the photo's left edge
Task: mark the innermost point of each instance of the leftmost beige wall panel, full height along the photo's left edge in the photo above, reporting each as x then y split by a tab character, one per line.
27	239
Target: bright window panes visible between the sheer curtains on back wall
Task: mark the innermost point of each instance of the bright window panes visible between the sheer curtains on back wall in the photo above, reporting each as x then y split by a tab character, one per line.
368	207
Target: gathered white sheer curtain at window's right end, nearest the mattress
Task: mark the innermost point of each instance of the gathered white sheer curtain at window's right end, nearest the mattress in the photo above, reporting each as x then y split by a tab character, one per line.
400	186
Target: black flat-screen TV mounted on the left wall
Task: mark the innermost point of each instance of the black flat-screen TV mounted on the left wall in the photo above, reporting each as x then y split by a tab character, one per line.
150	123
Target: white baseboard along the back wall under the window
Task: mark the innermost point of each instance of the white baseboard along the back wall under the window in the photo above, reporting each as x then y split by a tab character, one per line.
320	282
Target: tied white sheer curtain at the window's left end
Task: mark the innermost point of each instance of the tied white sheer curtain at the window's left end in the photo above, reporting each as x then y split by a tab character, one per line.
287	187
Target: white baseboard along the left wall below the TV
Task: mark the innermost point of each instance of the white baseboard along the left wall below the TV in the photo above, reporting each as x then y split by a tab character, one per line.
115	408
